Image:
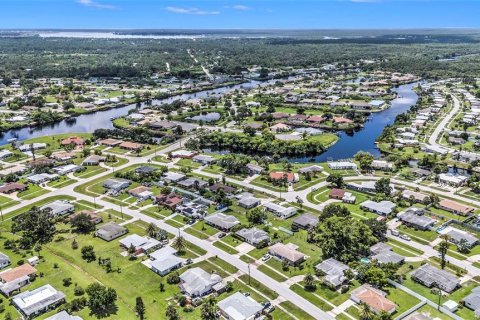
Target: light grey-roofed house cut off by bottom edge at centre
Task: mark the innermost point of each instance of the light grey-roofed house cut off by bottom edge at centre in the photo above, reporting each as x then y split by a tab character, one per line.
239	307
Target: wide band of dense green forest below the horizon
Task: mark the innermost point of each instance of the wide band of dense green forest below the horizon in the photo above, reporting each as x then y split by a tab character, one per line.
422	54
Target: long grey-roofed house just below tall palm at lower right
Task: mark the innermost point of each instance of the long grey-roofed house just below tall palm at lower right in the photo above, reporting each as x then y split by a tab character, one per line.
431	276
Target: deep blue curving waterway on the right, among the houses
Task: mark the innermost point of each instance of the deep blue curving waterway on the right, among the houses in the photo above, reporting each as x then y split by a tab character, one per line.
364	139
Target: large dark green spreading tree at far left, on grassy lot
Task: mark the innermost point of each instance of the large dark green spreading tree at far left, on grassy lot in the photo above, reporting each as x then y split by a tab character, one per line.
35	226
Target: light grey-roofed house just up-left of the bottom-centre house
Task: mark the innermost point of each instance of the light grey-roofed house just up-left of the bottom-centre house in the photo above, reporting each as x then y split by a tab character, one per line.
196	282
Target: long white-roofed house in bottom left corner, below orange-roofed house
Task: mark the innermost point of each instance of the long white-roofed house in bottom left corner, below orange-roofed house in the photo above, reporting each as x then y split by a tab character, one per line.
38	301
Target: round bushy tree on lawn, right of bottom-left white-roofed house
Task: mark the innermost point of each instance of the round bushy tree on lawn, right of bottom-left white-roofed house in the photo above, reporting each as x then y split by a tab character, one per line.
101	299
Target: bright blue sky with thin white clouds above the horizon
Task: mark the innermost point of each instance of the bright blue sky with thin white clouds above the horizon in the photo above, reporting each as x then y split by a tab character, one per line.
228	14
